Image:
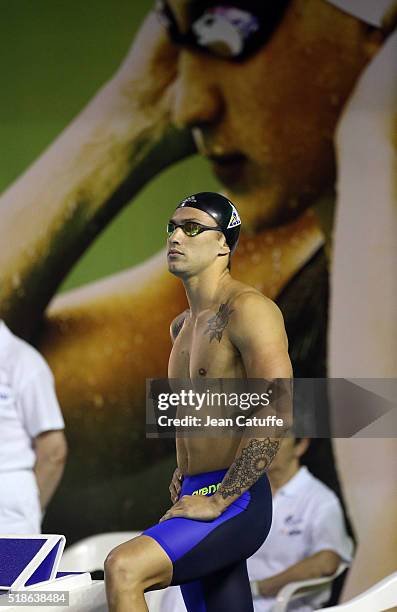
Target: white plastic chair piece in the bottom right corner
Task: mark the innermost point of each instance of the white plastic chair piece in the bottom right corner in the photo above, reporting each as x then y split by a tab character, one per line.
381	596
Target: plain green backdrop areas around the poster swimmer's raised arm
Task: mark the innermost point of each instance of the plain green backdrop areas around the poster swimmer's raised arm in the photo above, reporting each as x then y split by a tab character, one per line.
54	56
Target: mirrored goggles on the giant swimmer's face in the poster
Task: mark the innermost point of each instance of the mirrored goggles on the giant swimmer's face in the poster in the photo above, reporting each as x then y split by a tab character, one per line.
231	30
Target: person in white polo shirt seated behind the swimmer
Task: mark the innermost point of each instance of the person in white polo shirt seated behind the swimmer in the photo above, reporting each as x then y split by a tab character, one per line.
308	537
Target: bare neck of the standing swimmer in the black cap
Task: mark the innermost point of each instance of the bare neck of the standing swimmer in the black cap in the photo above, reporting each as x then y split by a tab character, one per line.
203	291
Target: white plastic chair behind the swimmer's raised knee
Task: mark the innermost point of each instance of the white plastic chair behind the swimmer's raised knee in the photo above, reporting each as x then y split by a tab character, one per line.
90	553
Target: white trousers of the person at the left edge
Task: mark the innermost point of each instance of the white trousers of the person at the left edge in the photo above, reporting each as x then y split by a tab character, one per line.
20	511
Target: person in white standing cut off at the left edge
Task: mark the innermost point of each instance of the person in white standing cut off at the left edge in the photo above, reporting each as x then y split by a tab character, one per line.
33	446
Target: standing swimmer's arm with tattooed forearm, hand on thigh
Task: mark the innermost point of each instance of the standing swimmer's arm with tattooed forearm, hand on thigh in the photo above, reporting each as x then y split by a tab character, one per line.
257	331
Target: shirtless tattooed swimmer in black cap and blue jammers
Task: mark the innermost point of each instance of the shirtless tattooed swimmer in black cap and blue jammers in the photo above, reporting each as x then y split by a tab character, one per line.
222	504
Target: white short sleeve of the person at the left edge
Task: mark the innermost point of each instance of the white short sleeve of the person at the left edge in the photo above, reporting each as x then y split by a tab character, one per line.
38	403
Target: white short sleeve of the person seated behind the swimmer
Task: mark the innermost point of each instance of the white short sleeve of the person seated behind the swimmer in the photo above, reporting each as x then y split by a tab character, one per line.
329	531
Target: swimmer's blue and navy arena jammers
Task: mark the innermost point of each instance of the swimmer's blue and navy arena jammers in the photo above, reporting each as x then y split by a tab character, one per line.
209	557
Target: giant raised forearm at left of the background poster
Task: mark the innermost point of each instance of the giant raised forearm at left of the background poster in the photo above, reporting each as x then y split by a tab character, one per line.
57	207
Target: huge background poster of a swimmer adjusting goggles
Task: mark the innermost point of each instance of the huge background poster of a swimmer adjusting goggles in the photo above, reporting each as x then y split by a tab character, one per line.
99	142
